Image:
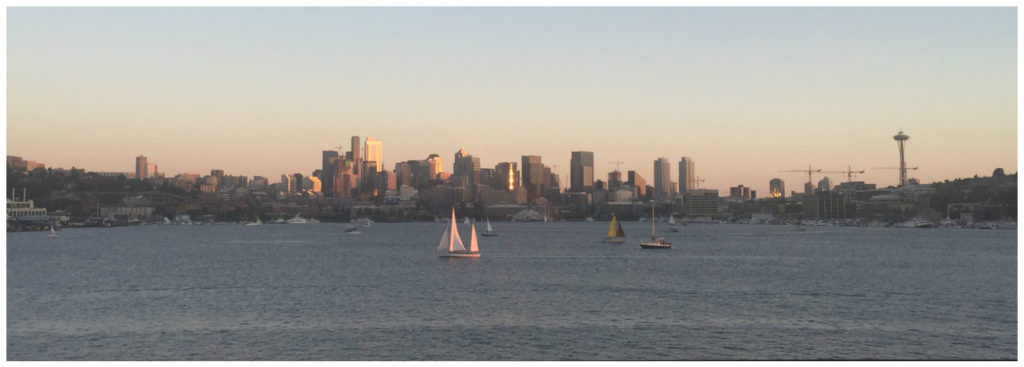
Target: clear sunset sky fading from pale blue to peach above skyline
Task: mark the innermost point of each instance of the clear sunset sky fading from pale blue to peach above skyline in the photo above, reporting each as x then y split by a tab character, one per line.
745	92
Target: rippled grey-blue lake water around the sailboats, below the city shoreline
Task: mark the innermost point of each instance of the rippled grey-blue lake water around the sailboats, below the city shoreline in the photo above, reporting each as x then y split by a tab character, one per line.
541	292
